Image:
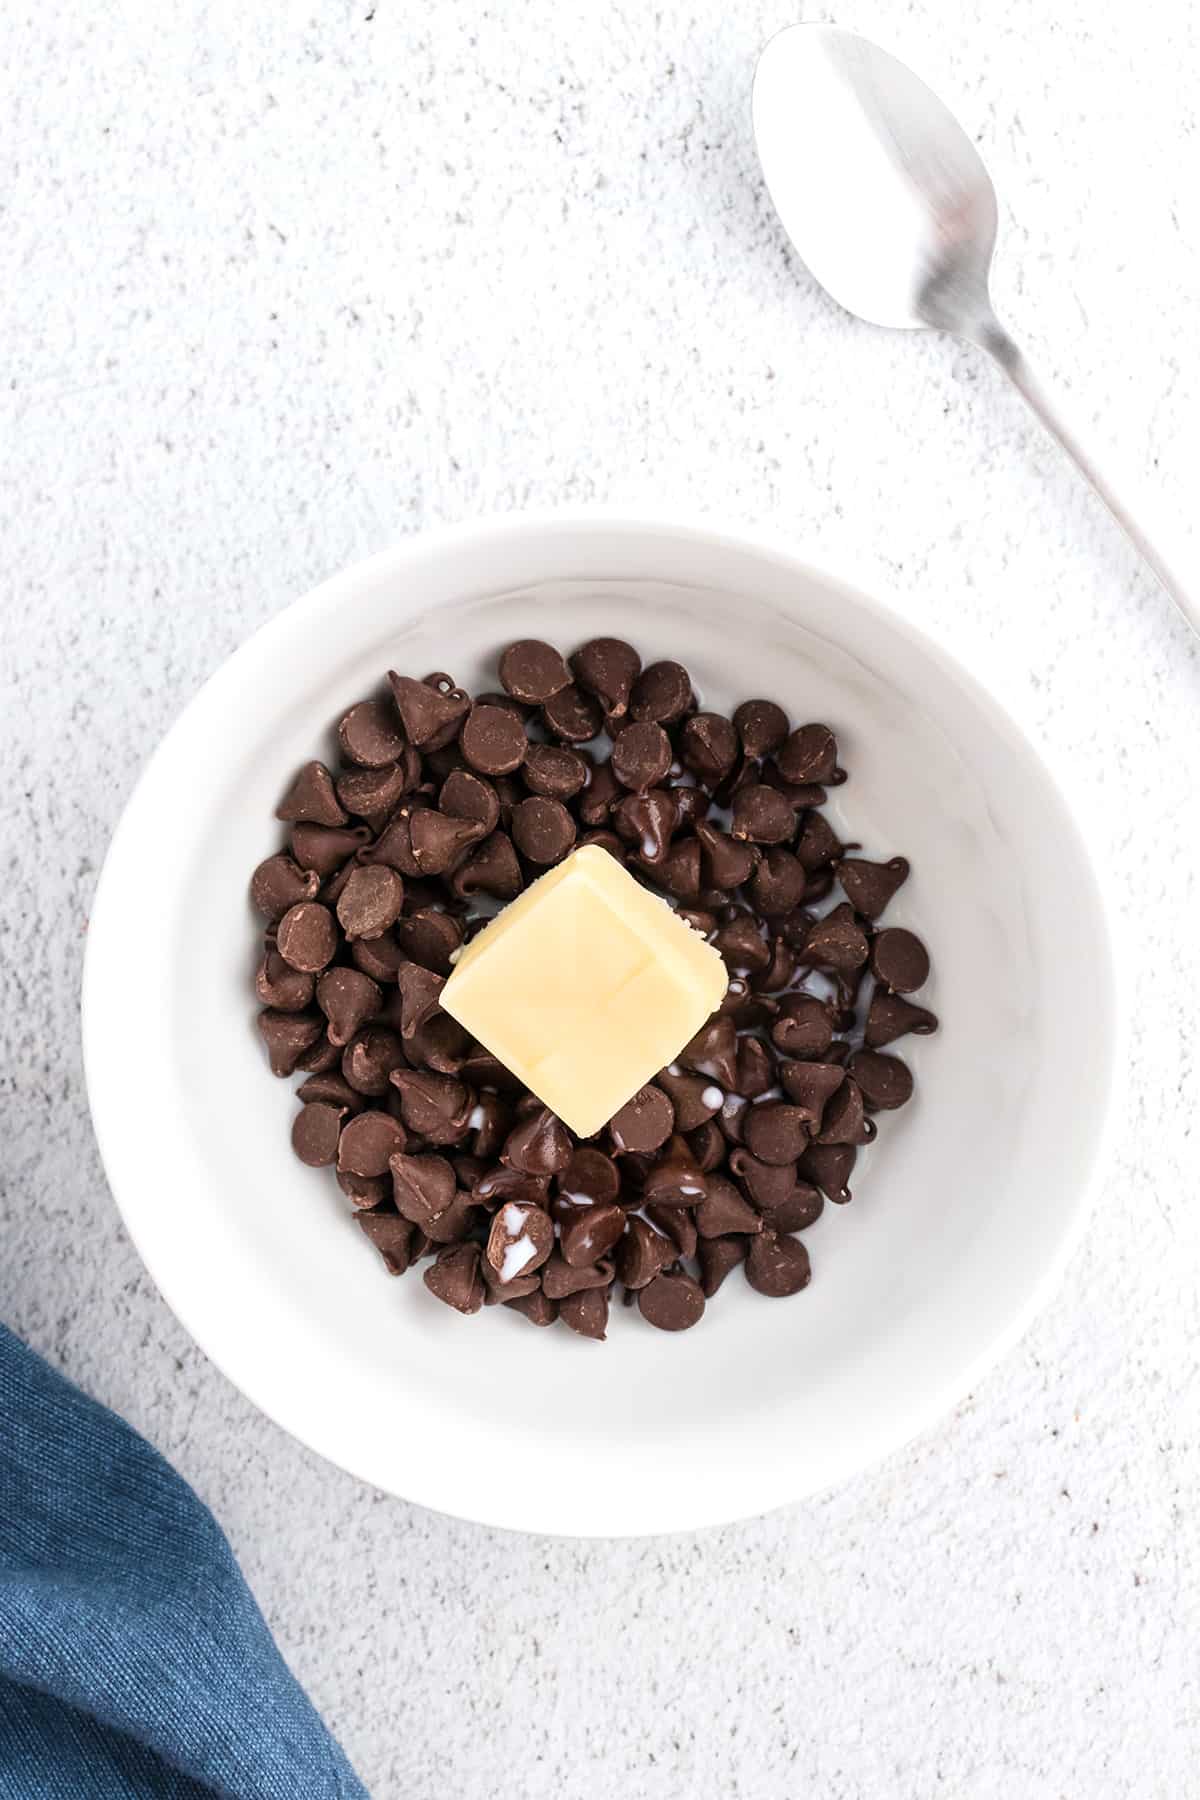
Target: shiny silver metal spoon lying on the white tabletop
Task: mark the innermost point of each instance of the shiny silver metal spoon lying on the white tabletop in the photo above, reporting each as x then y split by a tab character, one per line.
891	208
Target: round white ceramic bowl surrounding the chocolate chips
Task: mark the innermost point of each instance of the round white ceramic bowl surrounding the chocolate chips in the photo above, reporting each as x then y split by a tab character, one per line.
965	1209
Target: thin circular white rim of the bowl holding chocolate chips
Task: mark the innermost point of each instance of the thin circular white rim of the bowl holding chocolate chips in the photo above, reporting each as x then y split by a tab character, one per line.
703	530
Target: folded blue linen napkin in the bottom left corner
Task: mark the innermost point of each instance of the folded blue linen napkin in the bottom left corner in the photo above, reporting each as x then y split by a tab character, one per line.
134	1660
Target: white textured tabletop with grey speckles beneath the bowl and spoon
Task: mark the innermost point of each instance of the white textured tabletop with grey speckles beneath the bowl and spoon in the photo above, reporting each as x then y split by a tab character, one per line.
280	285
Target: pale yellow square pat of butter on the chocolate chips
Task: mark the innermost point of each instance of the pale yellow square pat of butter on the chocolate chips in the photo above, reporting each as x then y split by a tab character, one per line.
586	987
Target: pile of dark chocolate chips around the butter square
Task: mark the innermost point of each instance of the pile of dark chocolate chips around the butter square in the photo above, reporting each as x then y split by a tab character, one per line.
442	811
